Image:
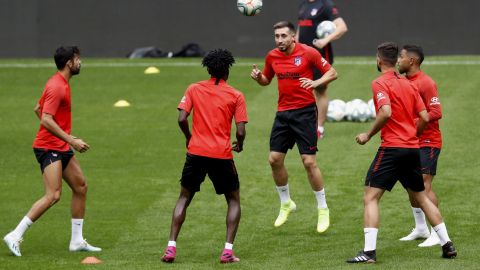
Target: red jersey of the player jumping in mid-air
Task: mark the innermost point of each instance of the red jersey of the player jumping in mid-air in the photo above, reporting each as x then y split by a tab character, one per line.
289	69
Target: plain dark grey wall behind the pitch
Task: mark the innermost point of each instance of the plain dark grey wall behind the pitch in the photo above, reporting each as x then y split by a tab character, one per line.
113	28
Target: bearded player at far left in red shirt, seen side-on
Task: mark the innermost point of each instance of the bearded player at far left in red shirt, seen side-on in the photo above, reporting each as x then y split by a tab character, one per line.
53	150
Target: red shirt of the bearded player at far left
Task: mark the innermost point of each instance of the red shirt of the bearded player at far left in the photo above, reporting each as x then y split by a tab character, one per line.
56	101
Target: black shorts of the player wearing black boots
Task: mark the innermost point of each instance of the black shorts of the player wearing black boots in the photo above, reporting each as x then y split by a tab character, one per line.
392	164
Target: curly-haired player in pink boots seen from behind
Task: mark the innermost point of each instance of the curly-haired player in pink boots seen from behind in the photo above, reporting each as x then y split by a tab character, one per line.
214	104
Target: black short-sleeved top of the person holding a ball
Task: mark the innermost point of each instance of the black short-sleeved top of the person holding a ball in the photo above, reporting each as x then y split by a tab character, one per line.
310	15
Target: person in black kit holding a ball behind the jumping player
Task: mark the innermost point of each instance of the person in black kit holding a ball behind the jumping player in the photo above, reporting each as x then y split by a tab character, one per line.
311	13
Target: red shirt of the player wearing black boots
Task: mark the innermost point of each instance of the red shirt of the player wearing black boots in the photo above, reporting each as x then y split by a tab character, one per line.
396	91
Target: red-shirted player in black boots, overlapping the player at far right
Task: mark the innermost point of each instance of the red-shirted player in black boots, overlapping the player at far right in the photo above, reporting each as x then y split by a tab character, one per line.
397	104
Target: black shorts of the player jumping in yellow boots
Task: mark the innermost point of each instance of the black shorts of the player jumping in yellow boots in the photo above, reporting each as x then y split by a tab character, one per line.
295	126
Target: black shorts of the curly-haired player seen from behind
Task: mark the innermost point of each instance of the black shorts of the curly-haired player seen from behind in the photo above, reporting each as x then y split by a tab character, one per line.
222	173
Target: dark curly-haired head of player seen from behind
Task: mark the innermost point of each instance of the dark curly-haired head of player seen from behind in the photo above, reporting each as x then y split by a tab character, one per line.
218	63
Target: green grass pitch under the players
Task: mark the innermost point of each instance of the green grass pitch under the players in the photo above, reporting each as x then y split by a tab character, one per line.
137	154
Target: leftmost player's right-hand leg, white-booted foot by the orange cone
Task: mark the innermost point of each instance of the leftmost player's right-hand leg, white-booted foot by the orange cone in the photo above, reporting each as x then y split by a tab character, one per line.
75	179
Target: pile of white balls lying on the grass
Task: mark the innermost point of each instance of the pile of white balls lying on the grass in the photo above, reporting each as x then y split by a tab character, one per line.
355	110
